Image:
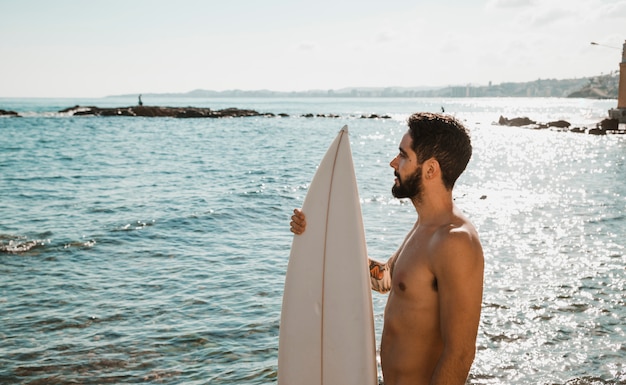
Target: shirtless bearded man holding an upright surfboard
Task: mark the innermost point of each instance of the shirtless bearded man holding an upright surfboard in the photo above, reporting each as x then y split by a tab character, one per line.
435	278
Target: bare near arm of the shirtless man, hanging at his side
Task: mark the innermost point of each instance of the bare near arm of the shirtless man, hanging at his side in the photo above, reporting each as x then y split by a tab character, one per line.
458	266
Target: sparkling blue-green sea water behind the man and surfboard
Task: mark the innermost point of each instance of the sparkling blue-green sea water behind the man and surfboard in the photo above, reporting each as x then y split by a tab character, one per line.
154	250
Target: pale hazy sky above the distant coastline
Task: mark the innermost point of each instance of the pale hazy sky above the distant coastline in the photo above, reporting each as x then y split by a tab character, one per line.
71	48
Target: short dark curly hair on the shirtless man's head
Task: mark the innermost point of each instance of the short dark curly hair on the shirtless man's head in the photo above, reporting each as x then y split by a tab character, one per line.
444	138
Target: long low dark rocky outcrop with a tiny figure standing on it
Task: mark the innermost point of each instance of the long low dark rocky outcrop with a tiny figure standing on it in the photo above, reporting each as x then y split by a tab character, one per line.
156	111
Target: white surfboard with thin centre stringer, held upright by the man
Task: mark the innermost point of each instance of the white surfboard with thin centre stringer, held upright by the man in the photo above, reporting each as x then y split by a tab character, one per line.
327	325
